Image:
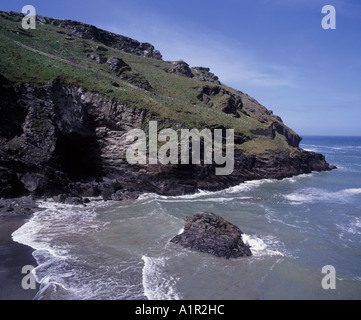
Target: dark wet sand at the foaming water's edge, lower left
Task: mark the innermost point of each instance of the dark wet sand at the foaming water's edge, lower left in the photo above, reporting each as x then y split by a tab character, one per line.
13	256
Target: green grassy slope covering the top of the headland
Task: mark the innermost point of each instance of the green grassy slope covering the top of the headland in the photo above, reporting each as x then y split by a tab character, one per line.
20	65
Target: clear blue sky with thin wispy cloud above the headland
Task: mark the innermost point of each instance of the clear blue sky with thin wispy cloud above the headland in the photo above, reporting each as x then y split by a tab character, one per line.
274	50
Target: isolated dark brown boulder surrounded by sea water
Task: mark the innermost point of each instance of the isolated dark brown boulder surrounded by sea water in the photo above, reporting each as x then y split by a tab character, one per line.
210	233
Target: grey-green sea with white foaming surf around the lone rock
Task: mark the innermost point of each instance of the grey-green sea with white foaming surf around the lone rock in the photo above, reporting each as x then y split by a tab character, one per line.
121	250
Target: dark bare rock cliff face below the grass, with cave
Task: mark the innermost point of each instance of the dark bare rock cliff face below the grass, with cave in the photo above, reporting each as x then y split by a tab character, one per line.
65	139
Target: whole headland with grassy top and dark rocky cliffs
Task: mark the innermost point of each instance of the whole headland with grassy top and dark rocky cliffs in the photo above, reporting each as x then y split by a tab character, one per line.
64	121
